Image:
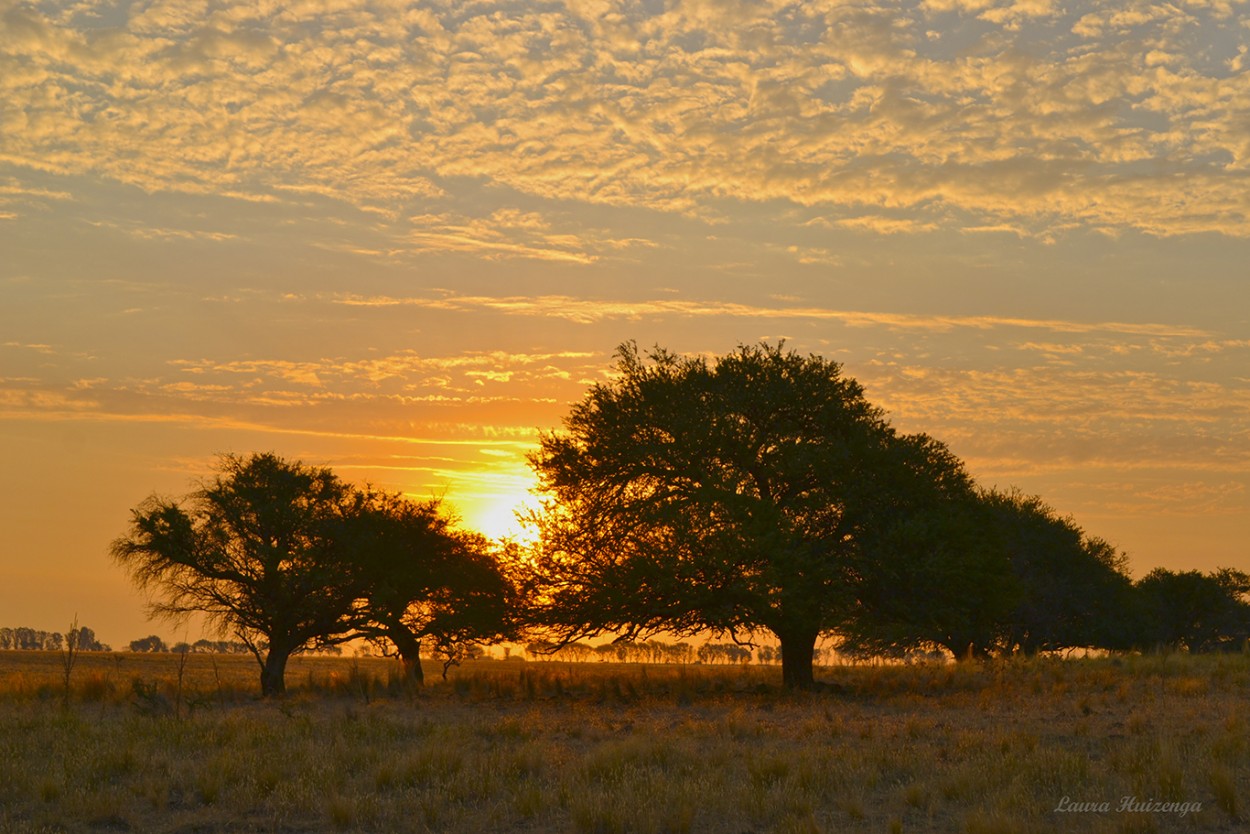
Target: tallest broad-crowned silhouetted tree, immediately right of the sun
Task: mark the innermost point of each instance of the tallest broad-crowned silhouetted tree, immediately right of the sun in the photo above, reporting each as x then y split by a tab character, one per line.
731	496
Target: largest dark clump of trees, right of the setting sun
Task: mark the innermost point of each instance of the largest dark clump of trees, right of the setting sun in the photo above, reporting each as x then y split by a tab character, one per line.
761	493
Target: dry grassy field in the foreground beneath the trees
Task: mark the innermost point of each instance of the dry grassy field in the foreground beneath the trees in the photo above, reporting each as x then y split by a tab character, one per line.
1157	743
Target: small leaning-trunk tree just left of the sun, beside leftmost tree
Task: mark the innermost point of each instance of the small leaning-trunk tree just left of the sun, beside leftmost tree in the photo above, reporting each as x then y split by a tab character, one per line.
423	581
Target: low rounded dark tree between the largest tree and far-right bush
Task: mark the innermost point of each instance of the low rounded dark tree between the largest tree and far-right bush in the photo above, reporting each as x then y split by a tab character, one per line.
988	573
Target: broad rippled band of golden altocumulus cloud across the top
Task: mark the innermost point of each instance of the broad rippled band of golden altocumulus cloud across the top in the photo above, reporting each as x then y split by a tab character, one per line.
1008	114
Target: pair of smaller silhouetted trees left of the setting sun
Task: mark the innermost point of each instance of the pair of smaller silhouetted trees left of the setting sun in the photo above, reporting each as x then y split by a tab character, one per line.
288	558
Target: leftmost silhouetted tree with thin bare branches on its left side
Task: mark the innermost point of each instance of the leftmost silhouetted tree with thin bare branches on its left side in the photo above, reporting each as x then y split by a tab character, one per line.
258	551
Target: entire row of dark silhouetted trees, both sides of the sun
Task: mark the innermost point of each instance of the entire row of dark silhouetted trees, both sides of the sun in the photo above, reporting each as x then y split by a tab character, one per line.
757	497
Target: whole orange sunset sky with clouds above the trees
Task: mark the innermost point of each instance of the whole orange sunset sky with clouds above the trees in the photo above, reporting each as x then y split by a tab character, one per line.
402	239
